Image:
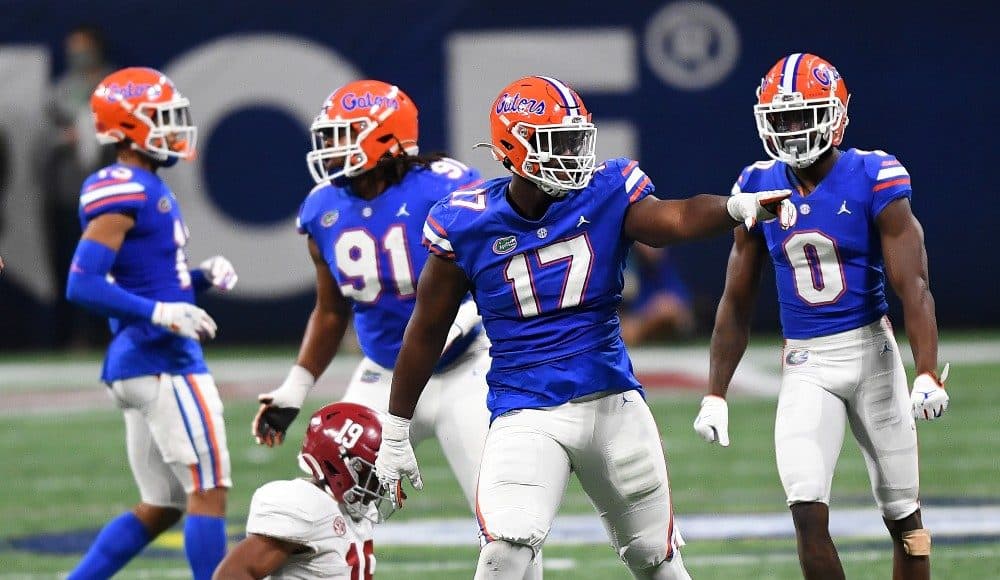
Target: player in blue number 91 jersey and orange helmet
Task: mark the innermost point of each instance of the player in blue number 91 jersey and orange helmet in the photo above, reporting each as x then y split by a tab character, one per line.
365	222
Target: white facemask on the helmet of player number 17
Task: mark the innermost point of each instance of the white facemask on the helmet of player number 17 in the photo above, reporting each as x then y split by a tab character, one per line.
560	158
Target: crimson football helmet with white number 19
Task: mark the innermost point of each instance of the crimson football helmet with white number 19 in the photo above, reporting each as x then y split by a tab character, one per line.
339	451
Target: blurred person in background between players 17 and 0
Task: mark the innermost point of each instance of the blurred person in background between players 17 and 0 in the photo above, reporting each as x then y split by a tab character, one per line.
657	303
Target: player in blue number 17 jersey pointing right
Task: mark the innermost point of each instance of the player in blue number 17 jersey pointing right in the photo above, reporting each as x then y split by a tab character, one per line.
543	252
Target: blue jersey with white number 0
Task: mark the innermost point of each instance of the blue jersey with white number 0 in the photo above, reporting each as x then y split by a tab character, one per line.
829	266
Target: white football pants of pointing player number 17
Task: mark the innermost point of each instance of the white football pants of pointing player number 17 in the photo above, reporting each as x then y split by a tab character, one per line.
612	444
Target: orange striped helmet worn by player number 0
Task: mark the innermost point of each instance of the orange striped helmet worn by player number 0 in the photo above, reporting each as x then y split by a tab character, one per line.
801	109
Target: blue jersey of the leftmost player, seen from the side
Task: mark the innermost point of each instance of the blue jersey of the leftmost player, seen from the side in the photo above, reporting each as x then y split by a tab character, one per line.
151	263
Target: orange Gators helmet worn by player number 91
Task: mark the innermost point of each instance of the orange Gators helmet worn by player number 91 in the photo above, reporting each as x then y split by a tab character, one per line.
361	122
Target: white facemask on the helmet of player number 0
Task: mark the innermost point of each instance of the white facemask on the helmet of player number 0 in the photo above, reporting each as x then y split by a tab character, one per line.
798	131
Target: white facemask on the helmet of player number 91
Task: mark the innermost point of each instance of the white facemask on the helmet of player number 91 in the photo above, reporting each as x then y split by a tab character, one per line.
334	141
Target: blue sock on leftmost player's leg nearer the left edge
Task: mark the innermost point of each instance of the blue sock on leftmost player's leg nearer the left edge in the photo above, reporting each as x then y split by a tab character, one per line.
120	540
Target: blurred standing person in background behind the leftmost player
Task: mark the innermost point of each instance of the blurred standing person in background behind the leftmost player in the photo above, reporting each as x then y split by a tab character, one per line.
69	154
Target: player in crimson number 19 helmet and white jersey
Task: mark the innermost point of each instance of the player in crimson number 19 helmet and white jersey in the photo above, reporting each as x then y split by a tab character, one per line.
319	527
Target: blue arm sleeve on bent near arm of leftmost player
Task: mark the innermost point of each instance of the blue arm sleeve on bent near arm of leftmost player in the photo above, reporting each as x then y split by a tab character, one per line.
89	287
